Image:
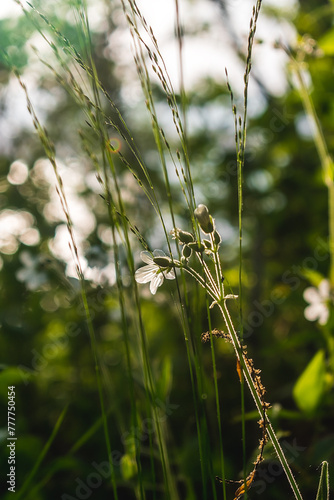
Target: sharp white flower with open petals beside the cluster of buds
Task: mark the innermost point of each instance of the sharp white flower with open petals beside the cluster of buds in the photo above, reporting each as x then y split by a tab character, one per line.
153	272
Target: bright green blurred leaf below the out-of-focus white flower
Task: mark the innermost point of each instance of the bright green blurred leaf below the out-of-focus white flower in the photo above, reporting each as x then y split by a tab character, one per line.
310	386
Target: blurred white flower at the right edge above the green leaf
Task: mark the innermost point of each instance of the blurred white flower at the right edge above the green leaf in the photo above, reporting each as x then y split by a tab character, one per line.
319	300
